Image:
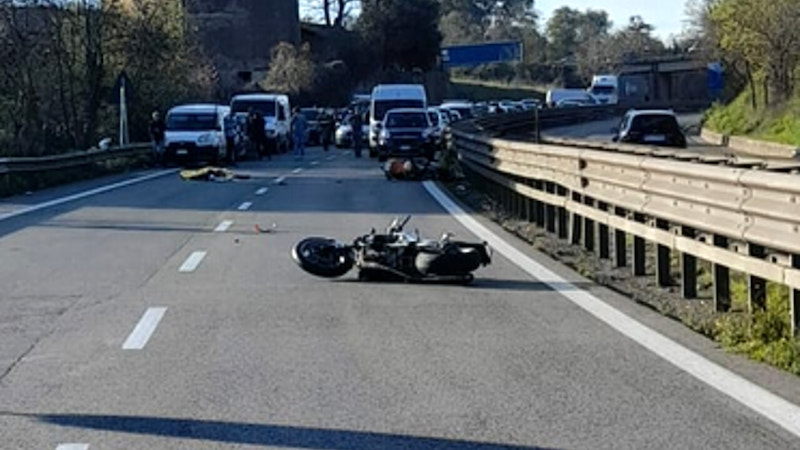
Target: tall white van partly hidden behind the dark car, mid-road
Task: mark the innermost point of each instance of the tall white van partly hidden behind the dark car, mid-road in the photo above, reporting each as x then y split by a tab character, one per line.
386	97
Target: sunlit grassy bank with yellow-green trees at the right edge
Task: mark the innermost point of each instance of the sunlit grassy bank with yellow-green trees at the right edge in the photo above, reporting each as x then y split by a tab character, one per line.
758	42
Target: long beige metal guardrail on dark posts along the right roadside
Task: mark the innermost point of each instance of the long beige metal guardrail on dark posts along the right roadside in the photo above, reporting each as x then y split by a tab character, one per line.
738	218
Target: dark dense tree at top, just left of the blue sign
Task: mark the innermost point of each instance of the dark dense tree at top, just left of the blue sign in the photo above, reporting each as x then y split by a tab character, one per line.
404	34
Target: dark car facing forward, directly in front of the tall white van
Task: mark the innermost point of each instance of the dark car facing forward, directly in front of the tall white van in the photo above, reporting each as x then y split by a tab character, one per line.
406	132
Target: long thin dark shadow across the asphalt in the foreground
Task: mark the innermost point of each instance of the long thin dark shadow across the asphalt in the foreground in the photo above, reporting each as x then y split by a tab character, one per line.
265	434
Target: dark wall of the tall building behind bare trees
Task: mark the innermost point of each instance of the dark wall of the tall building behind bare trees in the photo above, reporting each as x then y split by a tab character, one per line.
239	34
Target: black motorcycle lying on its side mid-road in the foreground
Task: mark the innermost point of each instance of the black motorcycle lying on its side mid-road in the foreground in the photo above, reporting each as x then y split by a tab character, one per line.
393	256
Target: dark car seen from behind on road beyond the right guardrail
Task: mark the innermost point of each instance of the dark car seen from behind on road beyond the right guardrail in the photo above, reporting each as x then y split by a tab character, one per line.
650	127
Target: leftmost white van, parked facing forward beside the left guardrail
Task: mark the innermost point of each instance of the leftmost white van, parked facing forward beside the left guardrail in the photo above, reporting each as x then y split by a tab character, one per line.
195	133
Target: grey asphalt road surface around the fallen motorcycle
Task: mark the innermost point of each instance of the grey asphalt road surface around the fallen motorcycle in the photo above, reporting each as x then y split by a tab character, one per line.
154	316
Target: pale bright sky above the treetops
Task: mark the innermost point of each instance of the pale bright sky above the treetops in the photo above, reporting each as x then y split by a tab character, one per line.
666	16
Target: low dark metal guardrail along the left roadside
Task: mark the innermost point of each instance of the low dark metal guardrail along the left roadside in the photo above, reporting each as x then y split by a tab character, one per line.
70	160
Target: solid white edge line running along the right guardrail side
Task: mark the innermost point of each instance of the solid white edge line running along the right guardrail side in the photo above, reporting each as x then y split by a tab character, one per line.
764	402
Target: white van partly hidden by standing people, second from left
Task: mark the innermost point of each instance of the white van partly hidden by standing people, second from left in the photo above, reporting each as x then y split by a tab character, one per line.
277	115
